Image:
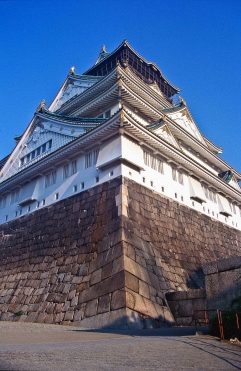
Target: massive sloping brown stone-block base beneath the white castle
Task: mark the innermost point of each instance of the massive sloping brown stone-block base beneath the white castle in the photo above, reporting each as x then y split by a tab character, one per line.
106	257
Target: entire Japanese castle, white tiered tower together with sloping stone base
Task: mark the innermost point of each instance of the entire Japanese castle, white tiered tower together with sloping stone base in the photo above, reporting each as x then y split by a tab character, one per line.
112	202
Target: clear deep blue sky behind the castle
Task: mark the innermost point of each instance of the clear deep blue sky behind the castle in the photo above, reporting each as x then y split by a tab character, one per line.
196	44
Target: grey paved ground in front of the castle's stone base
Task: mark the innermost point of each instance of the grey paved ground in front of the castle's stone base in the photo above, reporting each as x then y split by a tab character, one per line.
35	347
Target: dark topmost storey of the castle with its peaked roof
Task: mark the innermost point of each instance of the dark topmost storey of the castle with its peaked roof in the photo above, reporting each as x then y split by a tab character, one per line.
126	55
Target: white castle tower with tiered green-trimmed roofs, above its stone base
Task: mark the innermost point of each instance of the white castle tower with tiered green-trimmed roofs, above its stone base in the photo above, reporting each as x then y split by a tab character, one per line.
117	119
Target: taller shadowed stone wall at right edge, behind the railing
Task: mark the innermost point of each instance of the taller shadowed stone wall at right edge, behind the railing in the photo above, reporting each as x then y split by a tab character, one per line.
223	282
